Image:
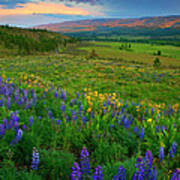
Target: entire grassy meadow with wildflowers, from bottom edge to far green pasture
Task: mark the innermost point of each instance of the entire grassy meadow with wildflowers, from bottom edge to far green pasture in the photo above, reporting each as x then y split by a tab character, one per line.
116	111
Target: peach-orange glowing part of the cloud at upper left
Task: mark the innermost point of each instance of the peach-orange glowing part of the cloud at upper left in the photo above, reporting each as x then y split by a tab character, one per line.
44	8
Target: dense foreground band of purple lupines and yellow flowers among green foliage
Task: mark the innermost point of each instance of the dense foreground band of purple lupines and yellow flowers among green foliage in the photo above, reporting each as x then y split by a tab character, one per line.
46	129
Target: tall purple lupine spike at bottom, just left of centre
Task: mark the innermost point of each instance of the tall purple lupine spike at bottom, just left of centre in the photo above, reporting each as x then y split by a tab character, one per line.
85	161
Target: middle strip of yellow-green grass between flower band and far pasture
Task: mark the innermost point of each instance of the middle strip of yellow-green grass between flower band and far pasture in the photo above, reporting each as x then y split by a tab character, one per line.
133	81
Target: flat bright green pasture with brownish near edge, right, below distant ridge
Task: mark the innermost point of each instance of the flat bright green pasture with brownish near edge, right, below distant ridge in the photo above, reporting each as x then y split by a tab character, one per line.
170	55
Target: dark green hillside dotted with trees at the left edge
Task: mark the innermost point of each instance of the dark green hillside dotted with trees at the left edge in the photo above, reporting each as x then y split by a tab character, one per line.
29	41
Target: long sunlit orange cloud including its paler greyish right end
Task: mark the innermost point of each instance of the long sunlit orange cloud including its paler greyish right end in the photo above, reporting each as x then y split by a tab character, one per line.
51	8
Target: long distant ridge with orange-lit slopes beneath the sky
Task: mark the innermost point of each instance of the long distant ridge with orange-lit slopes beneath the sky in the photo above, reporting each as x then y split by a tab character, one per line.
94	24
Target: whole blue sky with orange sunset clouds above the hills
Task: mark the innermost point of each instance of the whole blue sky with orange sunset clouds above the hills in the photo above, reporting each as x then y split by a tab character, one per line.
28	13
